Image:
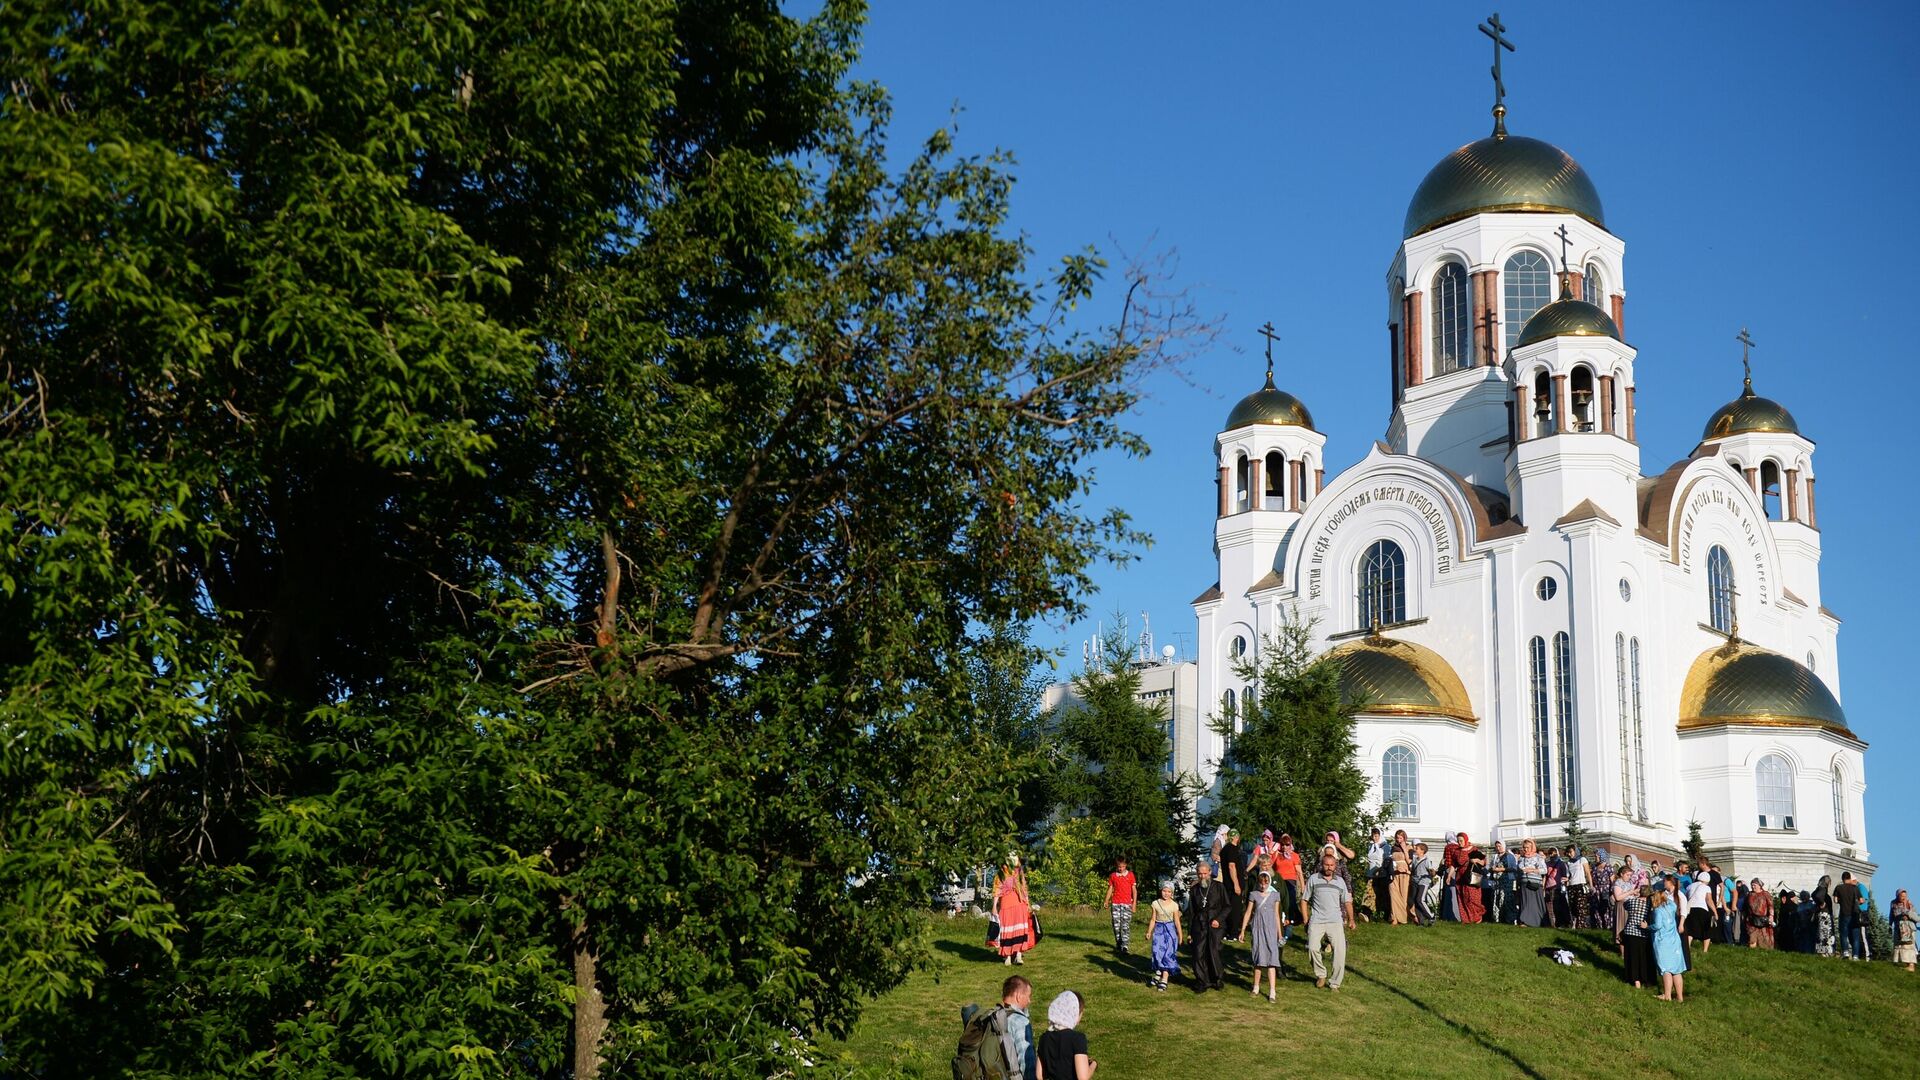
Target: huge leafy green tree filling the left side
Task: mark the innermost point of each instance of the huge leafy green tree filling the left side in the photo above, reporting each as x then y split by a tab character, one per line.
498	503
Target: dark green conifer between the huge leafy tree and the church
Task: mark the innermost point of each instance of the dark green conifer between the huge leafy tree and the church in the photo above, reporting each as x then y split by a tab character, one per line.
1116	764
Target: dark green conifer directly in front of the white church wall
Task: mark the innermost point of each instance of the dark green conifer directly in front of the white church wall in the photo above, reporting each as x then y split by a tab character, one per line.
1291	758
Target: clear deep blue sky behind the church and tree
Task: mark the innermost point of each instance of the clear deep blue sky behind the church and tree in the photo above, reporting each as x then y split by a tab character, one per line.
1760	160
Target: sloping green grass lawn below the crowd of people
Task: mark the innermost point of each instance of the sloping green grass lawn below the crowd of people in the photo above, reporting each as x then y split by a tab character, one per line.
1426	1002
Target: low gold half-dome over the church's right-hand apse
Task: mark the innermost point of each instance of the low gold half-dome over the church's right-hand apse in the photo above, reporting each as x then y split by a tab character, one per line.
1740	683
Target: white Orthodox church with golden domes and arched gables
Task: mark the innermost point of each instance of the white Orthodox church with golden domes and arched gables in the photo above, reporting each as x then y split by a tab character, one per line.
1529	618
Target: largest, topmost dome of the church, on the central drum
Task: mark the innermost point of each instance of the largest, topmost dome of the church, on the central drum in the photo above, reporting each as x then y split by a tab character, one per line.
1502	176
